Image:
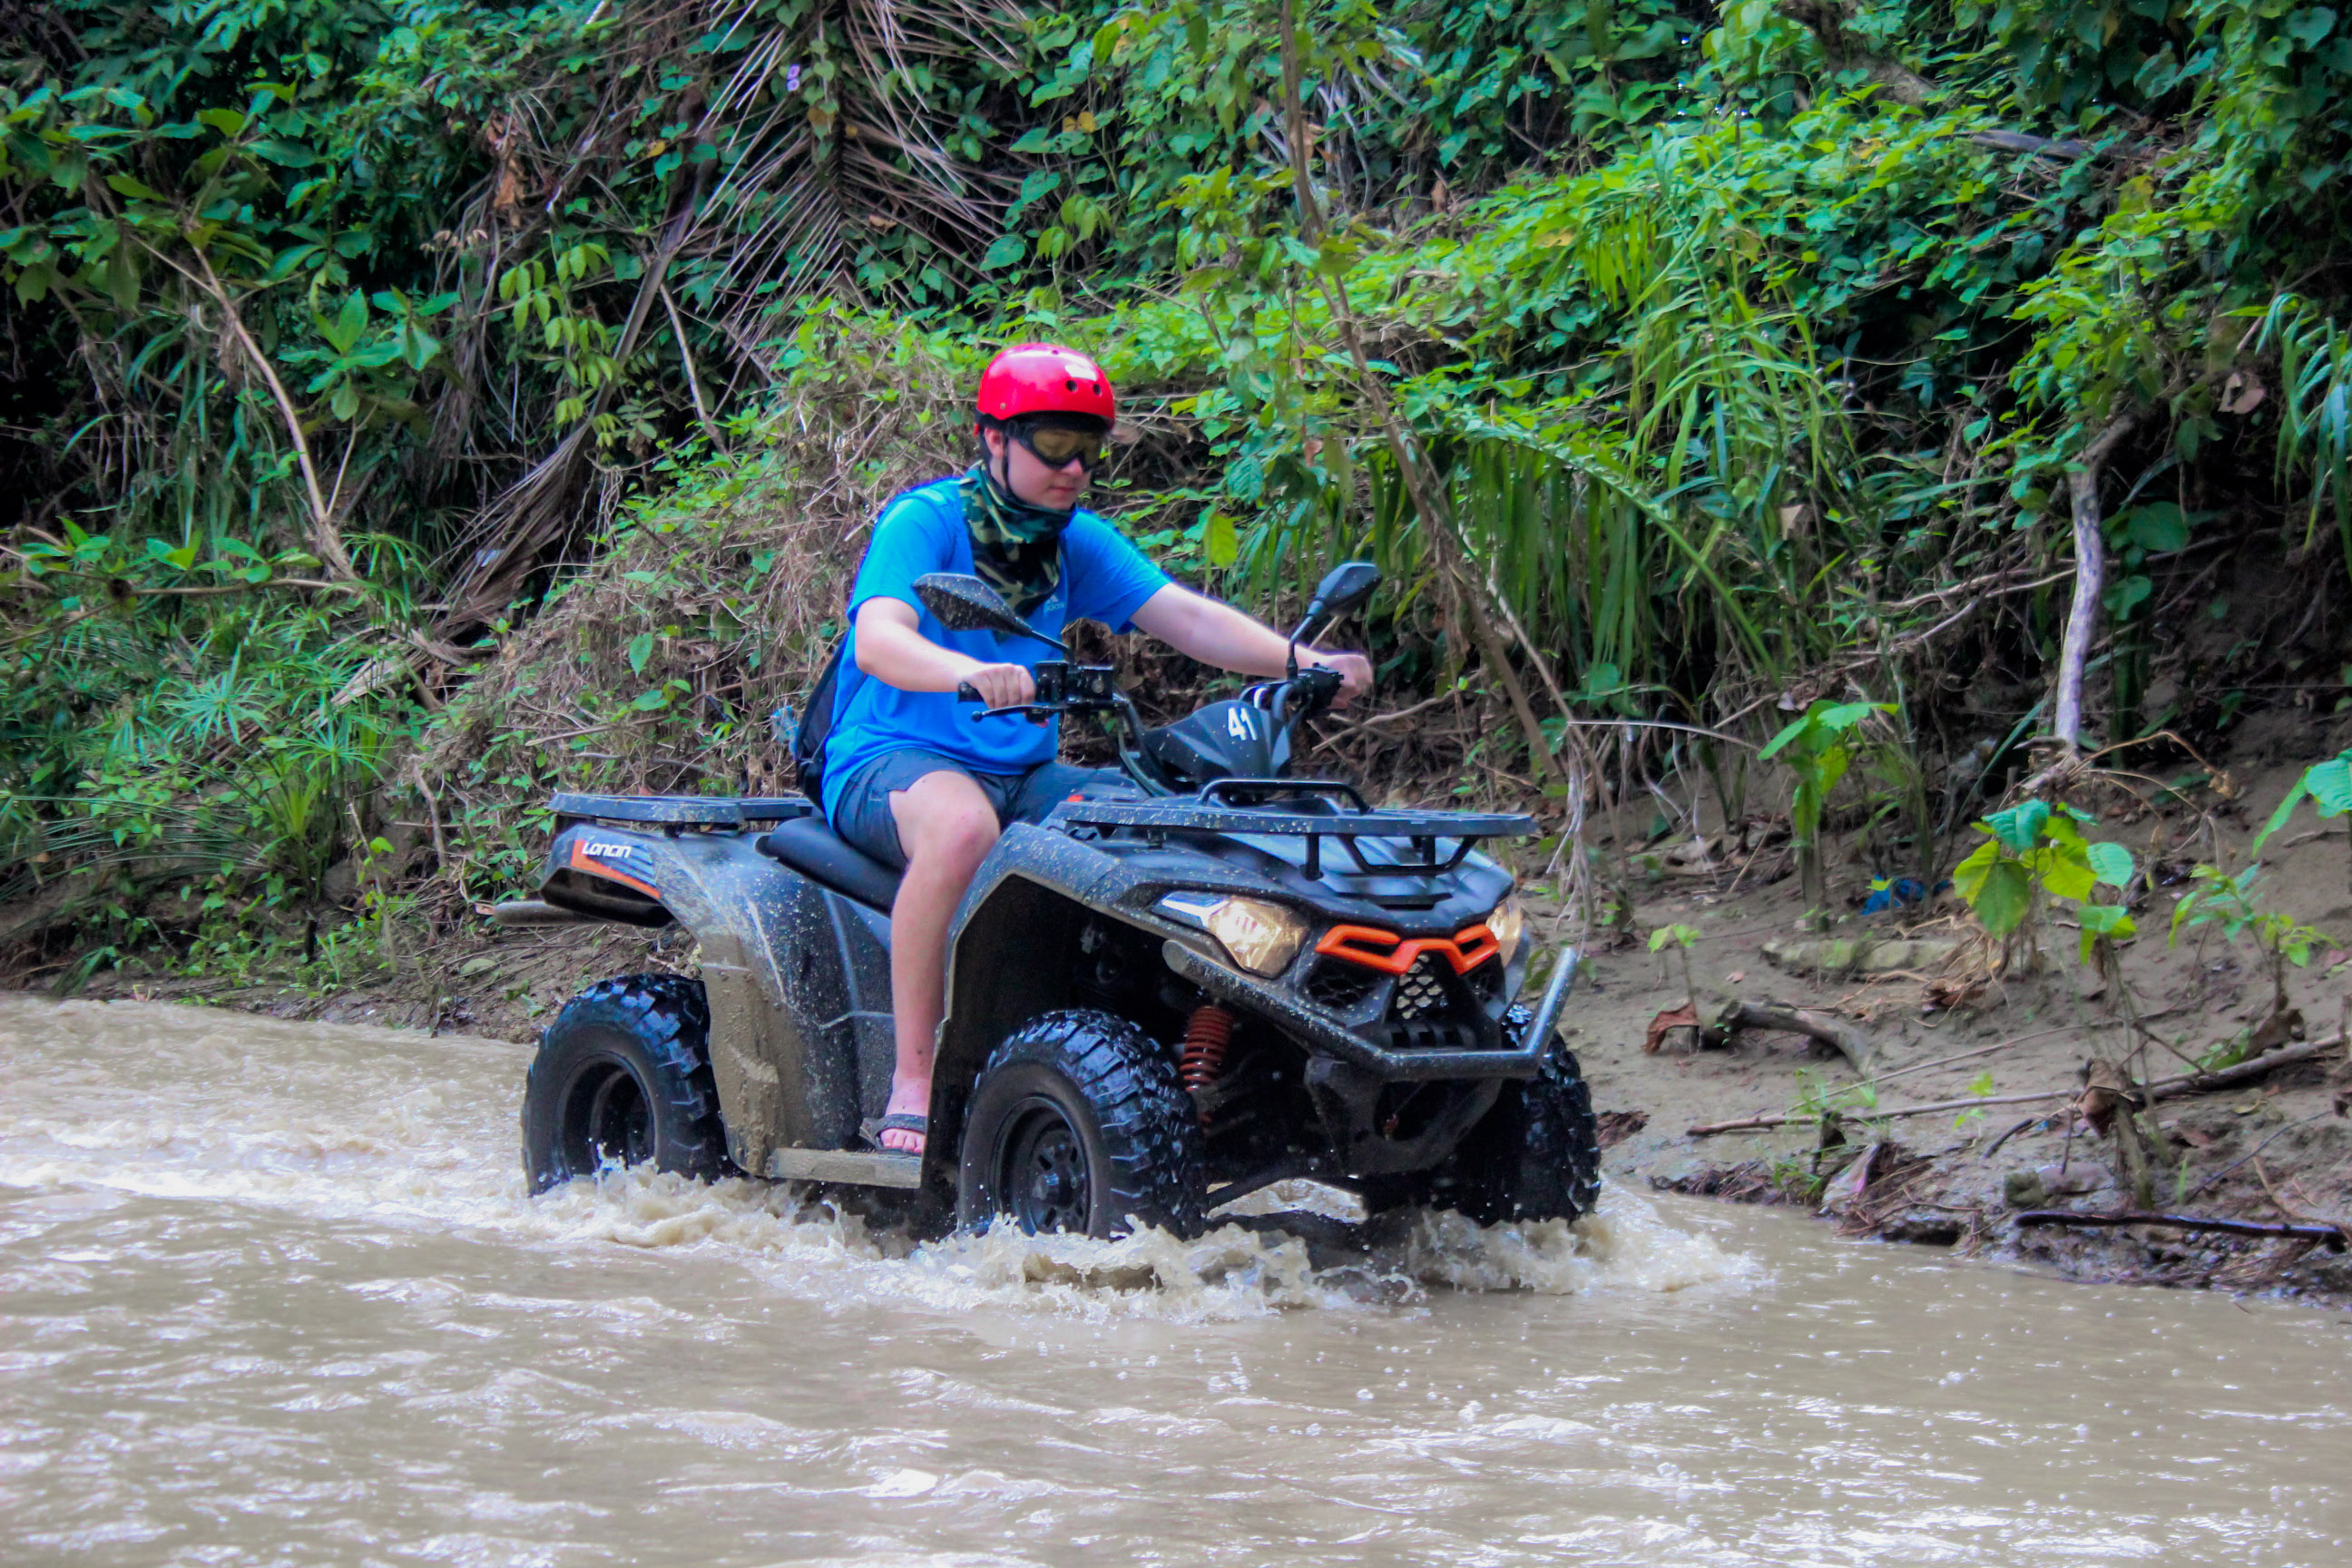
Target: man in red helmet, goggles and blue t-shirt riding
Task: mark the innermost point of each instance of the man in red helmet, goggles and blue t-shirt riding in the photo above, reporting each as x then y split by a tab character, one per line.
921	782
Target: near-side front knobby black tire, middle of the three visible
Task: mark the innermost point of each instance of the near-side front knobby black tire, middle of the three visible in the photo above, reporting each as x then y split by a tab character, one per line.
1078	1123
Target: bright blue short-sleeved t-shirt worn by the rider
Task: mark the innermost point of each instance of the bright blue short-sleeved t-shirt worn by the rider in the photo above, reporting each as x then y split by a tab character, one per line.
923	530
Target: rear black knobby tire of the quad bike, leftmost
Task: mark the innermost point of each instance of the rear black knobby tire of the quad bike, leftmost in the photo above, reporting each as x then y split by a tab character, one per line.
624	1080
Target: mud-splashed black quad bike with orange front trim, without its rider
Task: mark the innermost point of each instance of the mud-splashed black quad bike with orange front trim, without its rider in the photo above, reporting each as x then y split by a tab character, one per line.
1158	1000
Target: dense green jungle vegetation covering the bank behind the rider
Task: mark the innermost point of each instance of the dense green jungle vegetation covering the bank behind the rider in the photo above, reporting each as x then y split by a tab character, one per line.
415	406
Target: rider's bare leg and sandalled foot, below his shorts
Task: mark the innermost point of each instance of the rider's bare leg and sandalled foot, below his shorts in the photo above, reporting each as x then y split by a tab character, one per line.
947	829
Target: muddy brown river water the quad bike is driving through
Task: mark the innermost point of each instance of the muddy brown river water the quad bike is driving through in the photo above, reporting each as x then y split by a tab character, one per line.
272	1294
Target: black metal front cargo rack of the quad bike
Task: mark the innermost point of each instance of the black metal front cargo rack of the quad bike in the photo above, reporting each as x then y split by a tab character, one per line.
1426	831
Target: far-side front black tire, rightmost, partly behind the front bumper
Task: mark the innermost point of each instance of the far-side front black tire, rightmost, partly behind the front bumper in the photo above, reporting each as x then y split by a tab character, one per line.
1537	1155
